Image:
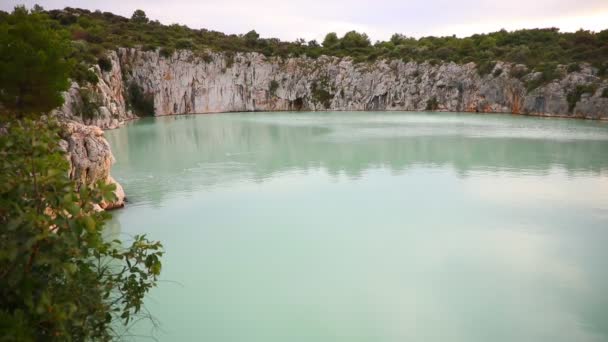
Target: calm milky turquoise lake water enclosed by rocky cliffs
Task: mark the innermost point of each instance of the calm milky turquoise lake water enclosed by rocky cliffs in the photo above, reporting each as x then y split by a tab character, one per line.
370	226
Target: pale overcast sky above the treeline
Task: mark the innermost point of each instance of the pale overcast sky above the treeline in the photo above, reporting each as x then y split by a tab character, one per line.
312	19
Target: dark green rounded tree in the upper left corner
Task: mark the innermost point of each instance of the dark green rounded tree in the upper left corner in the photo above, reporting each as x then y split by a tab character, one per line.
33	63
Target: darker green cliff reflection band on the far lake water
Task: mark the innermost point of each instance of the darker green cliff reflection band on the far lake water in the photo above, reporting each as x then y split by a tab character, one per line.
208	150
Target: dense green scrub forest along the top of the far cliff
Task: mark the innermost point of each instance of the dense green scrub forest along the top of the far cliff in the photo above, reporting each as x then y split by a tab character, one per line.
93	33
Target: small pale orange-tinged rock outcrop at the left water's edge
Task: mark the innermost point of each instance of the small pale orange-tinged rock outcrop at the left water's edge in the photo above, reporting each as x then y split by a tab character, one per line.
90	159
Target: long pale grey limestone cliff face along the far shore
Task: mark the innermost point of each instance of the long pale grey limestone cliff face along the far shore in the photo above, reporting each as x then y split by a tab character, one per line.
187	83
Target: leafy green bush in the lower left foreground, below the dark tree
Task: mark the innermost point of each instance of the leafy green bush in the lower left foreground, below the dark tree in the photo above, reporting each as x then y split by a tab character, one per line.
60	280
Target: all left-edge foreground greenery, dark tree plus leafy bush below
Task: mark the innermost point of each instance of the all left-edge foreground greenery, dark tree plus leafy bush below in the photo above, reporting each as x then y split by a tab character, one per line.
60	279
